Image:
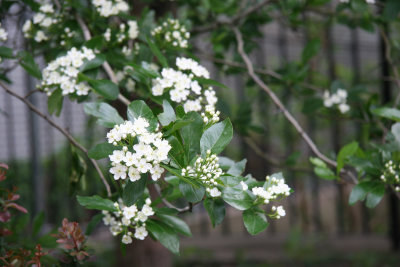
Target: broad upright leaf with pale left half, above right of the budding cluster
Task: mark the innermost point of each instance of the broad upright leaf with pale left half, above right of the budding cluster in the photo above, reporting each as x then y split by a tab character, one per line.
217	137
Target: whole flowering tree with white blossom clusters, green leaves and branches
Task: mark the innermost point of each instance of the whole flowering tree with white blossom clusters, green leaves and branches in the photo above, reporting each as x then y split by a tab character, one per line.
166	145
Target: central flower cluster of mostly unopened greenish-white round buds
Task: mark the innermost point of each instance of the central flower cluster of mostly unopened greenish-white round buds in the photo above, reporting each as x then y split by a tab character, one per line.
206	170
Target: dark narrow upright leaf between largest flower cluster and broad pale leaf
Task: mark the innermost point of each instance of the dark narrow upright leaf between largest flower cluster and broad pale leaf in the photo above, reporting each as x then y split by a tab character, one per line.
191	135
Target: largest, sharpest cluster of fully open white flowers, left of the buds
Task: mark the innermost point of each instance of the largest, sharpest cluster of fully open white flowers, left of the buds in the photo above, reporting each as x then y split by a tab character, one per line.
146	155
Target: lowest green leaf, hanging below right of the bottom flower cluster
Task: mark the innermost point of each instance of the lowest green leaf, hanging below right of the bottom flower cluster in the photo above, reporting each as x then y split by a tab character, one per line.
164	233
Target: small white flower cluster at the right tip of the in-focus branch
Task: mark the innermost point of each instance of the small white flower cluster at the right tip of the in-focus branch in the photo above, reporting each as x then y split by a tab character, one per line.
276	188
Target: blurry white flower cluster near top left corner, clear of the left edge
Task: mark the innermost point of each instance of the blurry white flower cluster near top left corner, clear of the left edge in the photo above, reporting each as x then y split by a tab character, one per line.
42	20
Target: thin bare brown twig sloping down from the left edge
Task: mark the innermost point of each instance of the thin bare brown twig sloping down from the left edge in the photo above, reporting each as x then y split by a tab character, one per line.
62	130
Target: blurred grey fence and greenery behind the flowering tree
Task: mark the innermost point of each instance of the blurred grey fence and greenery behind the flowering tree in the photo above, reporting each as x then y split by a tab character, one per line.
320	228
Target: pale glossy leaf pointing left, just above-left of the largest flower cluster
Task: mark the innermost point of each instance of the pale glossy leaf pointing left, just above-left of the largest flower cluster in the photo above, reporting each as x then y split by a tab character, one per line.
106	114
